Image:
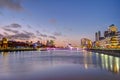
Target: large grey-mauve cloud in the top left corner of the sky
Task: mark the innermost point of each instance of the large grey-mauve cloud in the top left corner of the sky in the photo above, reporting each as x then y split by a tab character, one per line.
11	4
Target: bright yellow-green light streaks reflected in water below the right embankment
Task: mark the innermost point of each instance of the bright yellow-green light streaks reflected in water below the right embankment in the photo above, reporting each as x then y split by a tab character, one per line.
109	63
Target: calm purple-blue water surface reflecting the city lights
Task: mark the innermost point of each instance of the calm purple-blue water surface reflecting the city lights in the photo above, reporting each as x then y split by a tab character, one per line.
58	65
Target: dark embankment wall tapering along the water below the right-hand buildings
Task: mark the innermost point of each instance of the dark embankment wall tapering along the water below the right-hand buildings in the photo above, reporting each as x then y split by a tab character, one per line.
114	52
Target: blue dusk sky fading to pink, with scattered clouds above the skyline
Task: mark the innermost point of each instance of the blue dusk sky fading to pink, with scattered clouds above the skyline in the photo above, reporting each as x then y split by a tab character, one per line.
64	21
